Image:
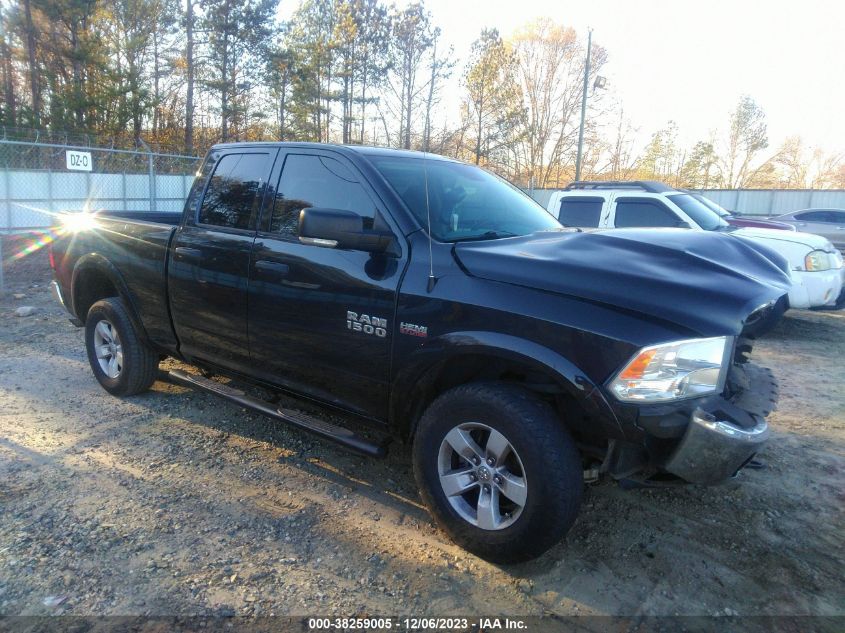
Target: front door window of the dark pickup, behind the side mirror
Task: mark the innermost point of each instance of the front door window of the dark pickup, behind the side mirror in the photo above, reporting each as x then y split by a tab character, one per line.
308	181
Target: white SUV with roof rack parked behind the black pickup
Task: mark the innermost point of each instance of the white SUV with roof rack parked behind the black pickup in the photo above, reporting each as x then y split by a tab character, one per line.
816	266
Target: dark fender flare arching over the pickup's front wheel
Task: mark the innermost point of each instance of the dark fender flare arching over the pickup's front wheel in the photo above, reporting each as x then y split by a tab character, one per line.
417	369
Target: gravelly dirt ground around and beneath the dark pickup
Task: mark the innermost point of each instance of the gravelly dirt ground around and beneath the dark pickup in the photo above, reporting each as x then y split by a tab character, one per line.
174	502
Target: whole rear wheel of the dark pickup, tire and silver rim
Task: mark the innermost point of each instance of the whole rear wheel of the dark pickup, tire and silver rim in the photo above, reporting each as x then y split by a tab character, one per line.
122	363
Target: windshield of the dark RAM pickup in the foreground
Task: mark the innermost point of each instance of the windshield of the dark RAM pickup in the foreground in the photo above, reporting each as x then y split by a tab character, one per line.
466	202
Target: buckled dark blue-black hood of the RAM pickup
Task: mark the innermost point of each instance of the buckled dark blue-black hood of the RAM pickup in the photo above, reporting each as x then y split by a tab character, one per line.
704	282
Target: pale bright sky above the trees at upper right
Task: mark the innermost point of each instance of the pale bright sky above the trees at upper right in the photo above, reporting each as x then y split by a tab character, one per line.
690	61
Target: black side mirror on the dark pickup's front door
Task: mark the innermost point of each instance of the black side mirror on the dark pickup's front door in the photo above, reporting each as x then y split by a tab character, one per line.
336	228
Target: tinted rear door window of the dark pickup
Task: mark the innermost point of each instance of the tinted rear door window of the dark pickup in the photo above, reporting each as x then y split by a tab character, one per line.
234	192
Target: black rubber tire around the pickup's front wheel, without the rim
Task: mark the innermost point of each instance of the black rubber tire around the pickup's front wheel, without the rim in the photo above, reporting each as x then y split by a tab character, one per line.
547	456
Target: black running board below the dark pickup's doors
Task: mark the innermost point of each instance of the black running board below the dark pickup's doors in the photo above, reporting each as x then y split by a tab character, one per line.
332	432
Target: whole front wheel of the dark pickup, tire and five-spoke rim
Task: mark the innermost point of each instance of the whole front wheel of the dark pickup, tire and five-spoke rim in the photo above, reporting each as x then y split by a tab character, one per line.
498	470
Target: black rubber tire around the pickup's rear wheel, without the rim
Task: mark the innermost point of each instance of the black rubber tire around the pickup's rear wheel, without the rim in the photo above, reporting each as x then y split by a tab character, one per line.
139	367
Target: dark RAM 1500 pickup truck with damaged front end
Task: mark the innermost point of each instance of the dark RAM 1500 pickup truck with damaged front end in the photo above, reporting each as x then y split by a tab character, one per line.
439	305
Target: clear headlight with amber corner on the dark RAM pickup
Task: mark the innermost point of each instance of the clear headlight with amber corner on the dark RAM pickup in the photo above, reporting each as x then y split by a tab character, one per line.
674	371
